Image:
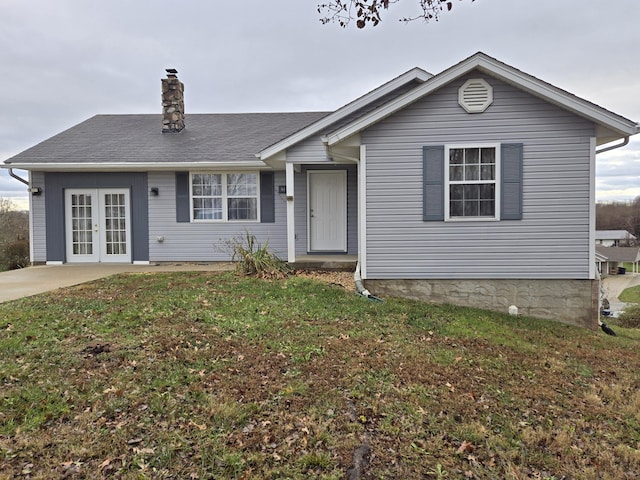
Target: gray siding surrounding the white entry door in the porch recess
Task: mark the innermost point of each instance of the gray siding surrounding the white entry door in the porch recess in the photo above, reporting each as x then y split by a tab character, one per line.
300	206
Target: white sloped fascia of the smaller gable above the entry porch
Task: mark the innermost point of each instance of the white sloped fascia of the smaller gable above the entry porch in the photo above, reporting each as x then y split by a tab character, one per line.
413	74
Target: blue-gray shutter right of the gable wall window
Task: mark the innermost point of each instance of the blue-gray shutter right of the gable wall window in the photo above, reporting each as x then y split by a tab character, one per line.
511	174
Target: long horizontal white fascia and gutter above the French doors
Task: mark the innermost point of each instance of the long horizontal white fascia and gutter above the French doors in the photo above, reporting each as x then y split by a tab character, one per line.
136	166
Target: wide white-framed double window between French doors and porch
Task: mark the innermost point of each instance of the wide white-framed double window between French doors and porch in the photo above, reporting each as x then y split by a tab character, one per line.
225	196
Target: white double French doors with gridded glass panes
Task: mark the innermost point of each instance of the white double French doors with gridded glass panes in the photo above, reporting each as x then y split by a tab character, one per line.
98	225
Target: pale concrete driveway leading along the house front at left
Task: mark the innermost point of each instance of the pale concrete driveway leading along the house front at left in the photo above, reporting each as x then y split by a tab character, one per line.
29	281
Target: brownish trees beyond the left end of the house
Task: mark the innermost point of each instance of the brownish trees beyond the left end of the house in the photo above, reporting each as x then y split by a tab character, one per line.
14	236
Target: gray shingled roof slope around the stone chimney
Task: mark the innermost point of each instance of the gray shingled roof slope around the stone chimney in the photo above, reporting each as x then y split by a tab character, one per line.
139	138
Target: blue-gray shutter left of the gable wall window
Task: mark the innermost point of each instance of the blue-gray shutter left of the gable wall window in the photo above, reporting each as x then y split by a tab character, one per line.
433	183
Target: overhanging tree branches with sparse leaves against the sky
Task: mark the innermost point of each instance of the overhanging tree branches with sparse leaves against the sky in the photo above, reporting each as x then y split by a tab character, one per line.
369	12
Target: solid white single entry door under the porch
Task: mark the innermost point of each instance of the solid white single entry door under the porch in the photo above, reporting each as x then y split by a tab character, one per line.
327	208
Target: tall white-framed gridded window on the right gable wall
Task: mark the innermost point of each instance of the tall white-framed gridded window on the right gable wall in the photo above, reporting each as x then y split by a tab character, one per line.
472	182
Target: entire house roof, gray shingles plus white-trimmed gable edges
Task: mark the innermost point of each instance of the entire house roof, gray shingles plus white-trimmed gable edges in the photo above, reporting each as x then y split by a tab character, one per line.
229	138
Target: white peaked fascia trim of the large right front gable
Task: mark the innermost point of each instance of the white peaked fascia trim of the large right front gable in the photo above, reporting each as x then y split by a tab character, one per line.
503	72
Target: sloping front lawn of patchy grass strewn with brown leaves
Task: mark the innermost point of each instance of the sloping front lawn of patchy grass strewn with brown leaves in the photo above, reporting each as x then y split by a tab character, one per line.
205	375
